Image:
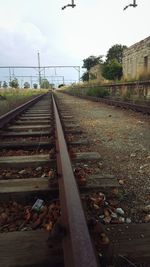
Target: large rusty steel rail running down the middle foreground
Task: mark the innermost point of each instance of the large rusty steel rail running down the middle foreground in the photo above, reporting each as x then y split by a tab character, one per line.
77	245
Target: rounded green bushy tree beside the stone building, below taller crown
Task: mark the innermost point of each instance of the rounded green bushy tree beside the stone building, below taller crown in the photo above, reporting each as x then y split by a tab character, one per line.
112	70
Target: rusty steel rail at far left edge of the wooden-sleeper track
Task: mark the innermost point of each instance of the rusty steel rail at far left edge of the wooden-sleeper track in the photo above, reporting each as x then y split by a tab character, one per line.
6	118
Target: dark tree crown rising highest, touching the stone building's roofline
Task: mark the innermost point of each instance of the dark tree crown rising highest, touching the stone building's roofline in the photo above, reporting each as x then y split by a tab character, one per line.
115	52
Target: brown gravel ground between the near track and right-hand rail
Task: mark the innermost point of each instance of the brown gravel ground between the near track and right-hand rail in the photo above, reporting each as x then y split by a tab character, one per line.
122	137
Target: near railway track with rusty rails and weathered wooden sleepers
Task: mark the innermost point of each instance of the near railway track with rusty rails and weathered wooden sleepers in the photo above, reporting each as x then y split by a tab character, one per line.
42	221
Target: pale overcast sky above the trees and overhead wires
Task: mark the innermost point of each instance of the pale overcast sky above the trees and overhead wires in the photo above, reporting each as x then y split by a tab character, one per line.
67	37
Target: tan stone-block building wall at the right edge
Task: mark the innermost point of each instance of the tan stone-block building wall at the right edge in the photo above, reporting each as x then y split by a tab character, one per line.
136	60
